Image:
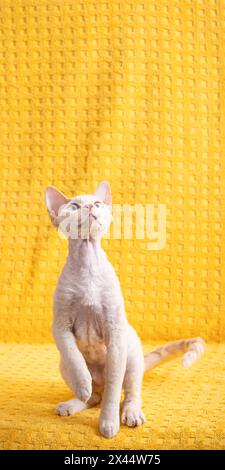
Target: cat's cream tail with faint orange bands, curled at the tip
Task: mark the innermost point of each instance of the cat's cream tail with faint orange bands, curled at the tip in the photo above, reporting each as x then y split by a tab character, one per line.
191	349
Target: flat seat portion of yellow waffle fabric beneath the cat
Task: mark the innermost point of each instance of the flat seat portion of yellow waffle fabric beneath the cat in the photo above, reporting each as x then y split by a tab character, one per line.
184	408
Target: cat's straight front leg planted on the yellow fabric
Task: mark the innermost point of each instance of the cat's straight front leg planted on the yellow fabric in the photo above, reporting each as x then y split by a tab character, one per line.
116	343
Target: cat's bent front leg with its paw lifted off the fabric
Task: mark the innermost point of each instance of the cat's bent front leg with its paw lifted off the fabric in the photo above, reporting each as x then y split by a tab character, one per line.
80	379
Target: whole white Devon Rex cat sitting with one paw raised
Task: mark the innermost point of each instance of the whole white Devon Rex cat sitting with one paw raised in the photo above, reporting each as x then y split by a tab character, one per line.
100	351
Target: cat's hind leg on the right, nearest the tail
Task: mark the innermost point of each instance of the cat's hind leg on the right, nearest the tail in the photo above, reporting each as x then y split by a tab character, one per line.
132	414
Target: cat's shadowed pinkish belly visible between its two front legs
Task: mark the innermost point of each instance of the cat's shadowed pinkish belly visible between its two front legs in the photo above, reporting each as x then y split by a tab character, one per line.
89	336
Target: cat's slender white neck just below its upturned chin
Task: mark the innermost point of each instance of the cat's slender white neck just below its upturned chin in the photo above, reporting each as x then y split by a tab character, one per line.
83	253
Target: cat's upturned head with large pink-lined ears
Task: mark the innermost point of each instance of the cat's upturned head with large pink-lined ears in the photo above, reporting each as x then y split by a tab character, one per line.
86	216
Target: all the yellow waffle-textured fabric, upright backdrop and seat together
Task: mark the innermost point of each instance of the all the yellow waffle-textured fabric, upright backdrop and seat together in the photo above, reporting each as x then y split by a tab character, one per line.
131	91
